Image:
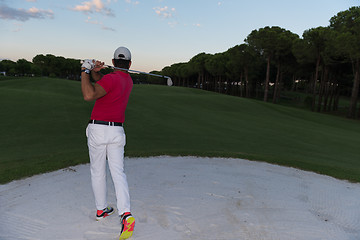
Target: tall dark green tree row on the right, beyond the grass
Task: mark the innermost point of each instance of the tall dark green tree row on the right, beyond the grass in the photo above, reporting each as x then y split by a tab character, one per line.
325	63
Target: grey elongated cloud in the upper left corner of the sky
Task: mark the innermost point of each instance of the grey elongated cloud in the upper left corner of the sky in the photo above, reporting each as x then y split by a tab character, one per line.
23	15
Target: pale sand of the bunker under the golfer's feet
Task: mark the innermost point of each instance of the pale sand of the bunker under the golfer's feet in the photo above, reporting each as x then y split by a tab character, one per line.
186	198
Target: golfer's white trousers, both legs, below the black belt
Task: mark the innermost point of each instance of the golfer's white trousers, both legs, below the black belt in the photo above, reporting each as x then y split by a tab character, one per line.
107	142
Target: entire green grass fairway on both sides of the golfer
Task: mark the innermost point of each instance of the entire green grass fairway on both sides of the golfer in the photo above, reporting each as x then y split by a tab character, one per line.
43	128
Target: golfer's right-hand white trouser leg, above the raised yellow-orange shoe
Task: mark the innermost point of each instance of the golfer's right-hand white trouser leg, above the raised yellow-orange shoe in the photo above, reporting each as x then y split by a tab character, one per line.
115	153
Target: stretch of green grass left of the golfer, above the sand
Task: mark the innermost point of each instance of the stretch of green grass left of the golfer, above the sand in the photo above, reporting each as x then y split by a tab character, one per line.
42	126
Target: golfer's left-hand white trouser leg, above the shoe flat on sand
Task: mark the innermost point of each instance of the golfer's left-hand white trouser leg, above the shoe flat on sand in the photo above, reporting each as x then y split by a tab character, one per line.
97	154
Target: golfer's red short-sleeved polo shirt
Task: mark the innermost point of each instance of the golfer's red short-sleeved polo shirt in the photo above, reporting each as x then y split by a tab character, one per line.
111	107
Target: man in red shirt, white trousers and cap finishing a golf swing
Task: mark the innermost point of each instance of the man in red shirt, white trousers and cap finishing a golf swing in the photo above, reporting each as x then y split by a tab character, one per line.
105	133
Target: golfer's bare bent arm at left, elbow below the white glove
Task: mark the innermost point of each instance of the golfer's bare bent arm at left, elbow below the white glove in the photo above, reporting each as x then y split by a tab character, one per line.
90	92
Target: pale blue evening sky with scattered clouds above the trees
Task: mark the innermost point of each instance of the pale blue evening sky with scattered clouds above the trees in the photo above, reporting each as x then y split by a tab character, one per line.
158	33
